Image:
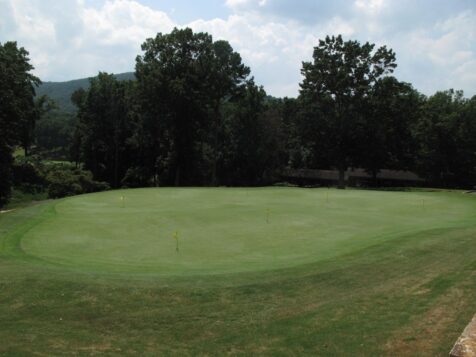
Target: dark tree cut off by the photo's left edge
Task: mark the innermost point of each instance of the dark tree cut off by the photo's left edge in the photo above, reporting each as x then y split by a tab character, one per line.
17	107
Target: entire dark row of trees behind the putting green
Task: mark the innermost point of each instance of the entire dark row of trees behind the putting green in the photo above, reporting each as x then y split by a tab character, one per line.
194	116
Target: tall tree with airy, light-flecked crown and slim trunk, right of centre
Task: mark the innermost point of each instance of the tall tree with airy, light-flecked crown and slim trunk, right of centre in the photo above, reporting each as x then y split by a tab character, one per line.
336	82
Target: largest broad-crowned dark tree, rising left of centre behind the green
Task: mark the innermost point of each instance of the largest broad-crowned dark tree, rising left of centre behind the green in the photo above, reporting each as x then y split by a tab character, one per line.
184	79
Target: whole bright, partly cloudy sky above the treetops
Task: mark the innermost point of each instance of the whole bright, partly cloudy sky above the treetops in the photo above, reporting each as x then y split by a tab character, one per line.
434	40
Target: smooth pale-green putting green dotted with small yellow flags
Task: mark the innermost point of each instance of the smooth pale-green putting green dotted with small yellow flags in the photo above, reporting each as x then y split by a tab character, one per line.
230	230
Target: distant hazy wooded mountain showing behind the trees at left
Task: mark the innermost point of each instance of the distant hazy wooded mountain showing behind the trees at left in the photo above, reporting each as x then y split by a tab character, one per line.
61	92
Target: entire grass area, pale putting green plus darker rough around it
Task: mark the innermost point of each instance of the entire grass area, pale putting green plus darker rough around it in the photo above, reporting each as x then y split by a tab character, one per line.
259	271
